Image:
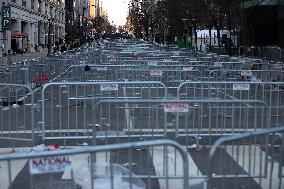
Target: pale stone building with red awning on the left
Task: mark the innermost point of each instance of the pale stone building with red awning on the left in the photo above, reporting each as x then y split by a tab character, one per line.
33	24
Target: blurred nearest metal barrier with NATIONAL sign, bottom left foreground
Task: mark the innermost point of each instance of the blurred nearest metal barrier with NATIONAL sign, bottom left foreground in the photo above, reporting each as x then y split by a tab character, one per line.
159	164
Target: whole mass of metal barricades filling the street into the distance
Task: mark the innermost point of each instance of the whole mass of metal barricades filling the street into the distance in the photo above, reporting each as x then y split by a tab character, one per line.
142	116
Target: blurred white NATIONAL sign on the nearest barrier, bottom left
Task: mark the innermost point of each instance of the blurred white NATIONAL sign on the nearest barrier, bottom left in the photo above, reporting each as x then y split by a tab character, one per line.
50	164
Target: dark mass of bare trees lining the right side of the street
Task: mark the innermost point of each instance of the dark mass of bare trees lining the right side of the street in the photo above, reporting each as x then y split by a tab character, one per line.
200	14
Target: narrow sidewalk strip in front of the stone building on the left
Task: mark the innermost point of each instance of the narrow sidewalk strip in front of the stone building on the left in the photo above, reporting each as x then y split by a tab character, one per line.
22	57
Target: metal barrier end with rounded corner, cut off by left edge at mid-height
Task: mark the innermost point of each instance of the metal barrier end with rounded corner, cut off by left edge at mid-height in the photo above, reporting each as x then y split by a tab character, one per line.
16	114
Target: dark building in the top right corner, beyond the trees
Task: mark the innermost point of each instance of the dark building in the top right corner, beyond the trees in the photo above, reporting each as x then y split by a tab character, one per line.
264	22
